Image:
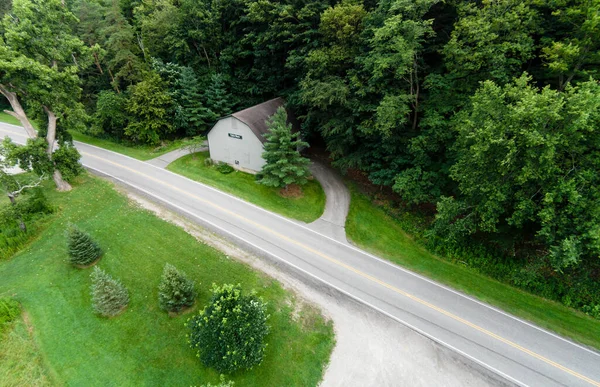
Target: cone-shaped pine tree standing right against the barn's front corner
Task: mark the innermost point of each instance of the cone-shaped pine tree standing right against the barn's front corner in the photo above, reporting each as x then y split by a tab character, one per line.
284	164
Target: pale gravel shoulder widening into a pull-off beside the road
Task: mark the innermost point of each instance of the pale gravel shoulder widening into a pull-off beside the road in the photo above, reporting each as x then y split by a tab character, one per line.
371	349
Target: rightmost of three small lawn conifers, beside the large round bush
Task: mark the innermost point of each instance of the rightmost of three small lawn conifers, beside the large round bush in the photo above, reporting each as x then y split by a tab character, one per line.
175	291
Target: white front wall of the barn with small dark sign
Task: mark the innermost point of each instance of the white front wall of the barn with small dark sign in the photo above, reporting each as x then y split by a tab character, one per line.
247	151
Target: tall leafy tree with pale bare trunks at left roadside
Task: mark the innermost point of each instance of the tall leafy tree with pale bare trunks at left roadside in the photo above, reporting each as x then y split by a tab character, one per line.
39	61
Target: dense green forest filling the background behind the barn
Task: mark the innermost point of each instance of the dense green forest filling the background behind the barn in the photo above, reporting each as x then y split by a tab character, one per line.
483	115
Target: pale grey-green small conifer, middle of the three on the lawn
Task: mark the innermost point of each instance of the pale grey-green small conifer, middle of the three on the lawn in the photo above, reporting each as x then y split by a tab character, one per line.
109	296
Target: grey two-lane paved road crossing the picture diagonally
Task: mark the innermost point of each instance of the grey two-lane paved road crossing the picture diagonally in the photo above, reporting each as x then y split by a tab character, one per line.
519	351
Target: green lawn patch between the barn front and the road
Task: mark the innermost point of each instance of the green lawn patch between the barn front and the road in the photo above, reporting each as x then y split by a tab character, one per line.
243	185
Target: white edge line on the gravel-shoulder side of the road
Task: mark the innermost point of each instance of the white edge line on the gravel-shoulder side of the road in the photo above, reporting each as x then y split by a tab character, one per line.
429	336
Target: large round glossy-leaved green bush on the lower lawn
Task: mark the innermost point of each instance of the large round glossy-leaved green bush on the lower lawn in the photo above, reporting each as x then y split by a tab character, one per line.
229	333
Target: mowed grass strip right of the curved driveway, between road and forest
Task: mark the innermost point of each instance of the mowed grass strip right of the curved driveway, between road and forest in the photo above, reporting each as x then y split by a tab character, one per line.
373	230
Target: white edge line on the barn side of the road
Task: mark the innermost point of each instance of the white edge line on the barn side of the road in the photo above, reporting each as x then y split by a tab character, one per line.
363	252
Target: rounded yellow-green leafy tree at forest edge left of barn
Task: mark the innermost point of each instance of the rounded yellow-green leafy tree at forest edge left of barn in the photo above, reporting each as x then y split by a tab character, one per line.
148	105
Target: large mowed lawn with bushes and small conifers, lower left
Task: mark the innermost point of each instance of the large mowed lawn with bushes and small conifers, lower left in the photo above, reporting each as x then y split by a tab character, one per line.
144	346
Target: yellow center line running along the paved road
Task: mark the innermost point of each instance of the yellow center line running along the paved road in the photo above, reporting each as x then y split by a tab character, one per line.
360	273
